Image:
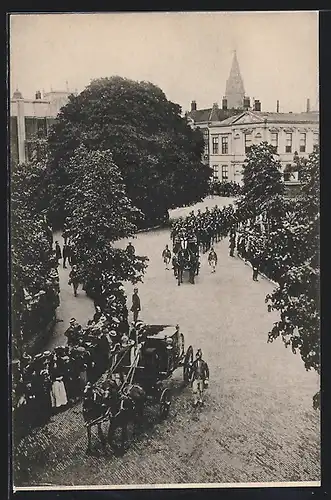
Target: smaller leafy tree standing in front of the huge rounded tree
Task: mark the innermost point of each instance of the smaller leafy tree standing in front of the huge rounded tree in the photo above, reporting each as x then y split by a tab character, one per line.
100	213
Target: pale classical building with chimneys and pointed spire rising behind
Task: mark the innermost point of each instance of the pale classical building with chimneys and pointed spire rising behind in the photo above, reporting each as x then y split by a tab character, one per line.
229	132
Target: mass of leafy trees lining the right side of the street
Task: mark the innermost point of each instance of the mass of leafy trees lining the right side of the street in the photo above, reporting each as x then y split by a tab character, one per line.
284	233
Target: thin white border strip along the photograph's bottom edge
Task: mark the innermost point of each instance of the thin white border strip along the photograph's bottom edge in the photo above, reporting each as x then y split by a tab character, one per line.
173	486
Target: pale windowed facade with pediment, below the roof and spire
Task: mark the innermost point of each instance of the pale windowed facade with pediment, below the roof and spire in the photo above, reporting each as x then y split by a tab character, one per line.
290	133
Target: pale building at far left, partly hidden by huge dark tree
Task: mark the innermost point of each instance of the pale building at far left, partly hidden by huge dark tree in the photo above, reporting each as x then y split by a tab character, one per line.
30	120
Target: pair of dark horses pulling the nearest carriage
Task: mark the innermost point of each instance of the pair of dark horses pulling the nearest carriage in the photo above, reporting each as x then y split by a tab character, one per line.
118	408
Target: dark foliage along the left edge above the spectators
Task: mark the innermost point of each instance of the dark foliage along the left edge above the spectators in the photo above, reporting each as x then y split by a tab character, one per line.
34	277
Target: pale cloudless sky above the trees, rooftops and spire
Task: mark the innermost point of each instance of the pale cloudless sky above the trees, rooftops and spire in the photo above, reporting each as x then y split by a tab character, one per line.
188	55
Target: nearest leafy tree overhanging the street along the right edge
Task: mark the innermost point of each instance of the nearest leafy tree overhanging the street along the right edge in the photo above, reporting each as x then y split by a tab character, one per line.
297	294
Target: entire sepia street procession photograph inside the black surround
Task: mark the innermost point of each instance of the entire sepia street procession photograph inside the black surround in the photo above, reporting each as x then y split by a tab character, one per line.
164	249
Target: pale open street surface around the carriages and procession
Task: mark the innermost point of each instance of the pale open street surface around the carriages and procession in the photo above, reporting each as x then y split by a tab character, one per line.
257	424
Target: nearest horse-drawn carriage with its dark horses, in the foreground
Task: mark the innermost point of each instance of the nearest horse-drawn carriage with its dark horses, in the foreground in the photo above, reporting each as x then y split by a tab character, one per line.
135	379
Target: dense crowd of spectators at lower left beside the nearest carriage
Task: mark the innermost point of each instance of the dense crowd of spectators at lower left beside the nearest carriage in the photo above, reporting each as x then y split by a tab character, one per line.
51	381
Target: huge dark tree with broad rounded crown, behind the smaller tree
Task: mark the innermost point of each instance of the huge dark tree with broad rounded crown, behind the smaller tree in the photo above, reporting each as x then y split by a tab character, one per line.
157	152
